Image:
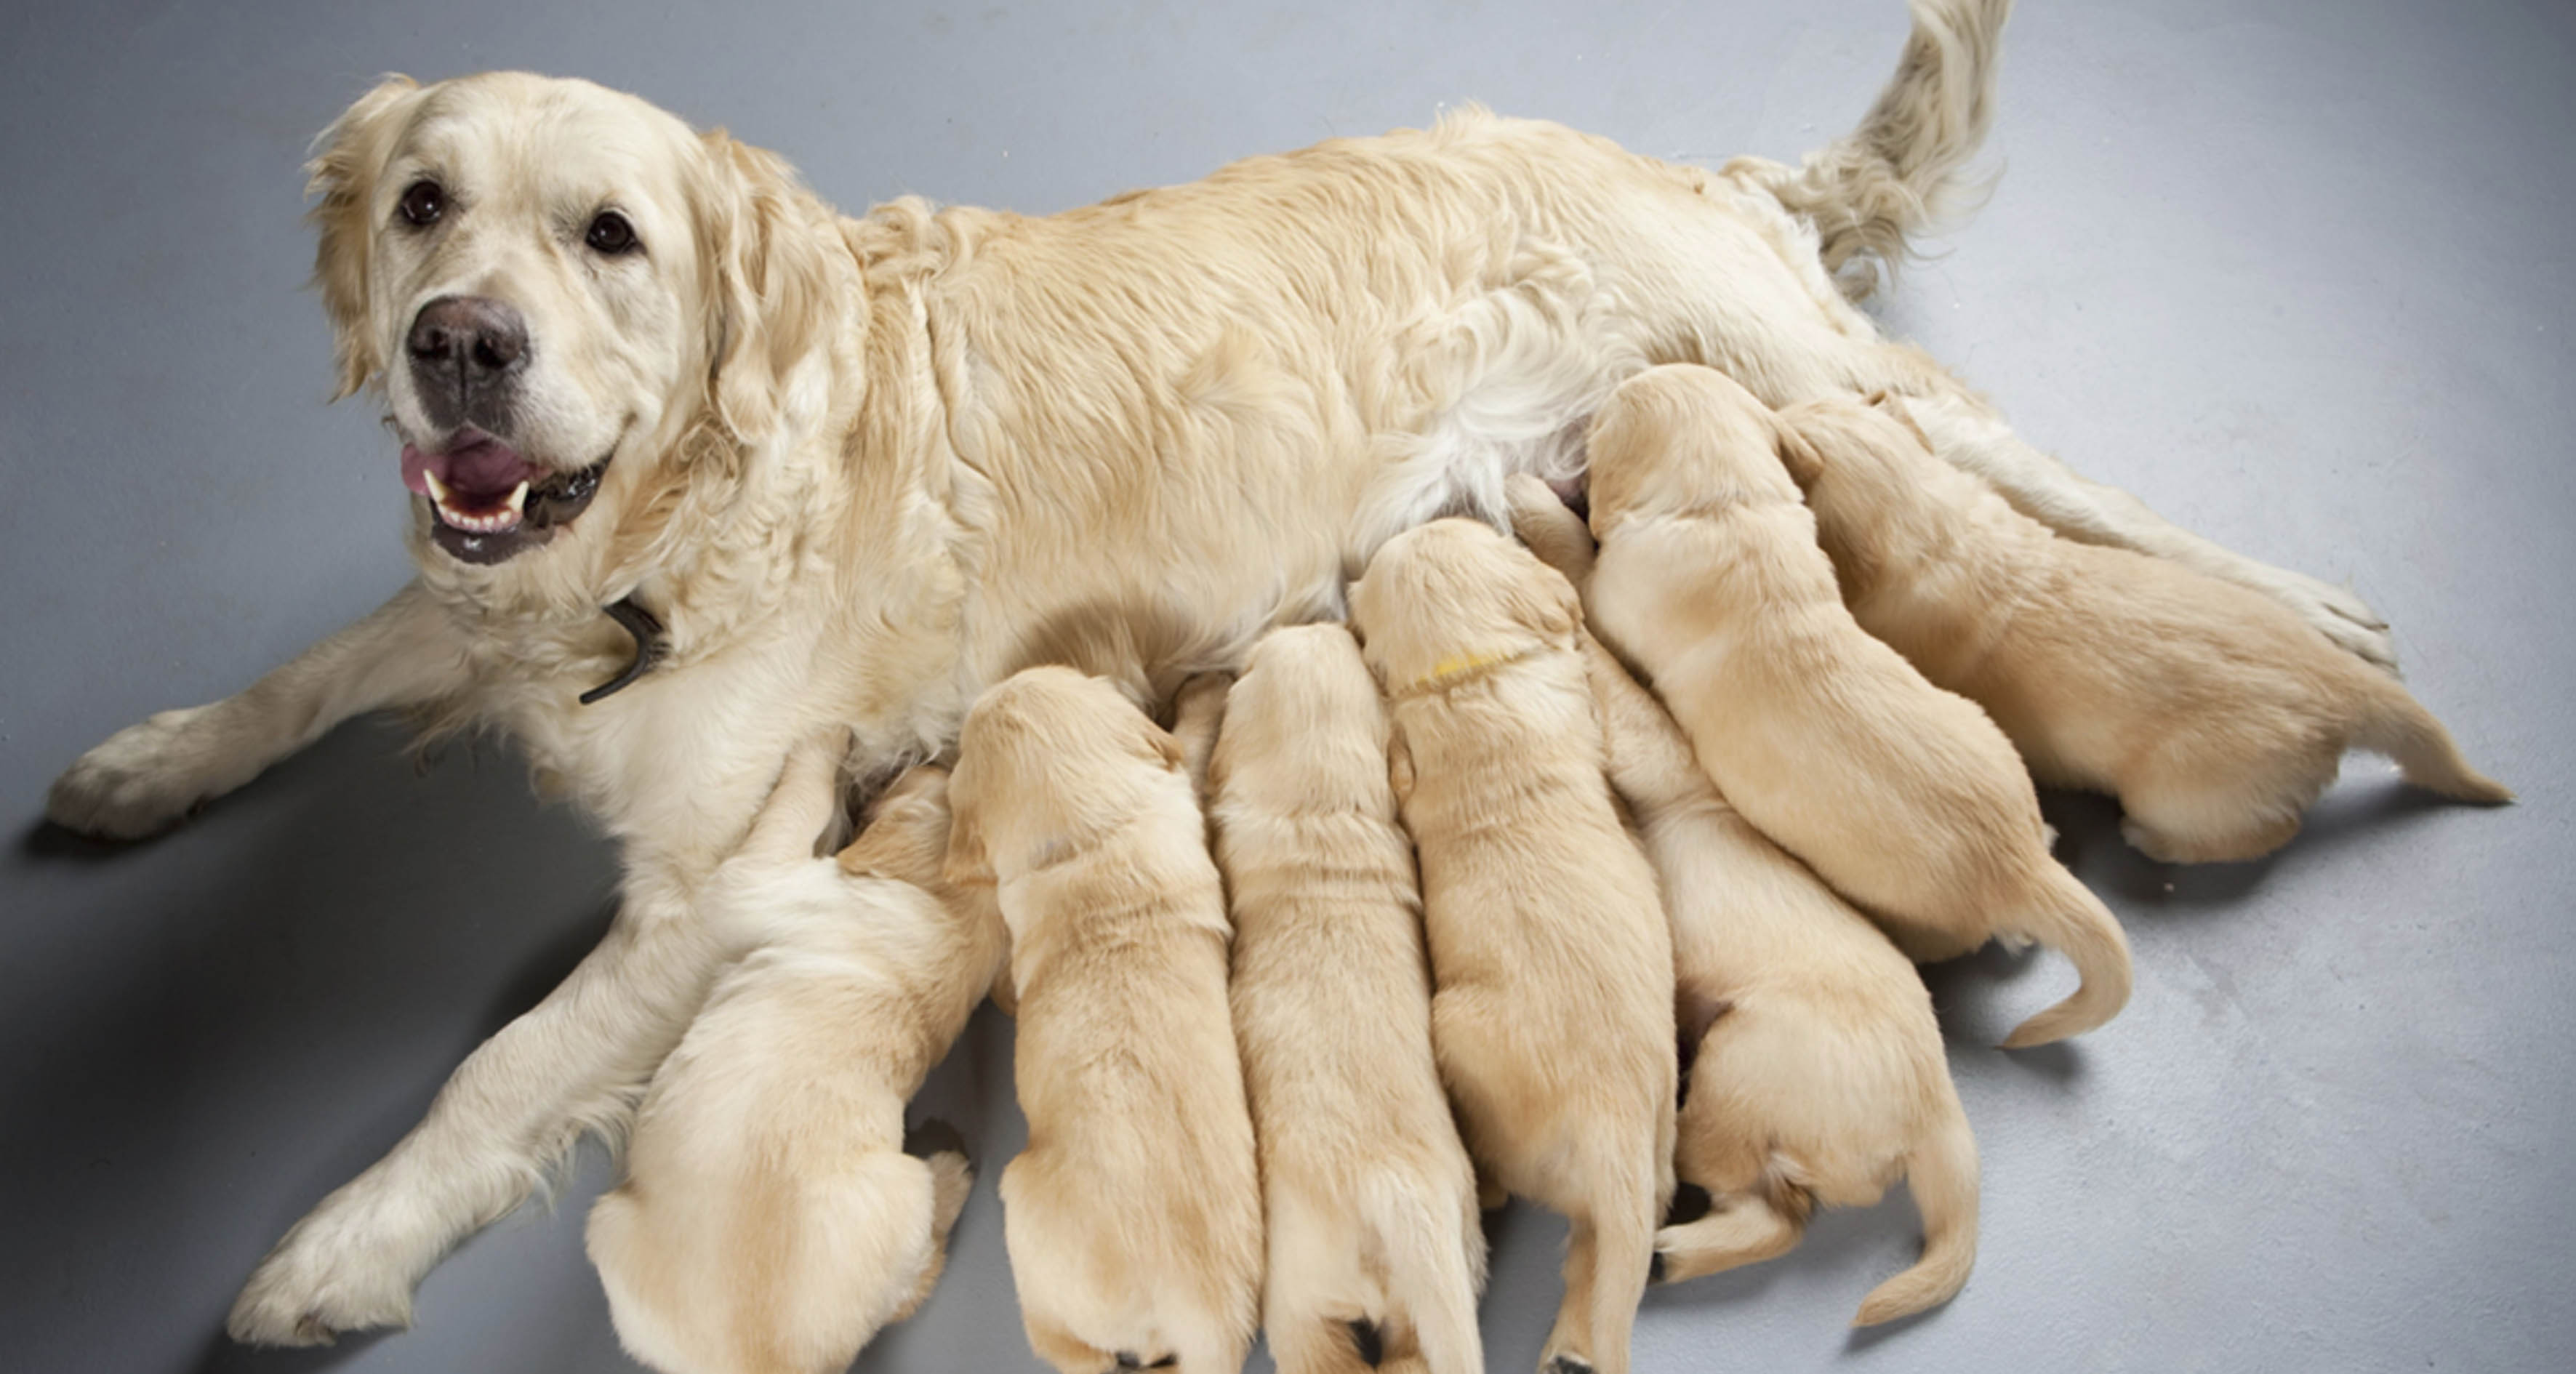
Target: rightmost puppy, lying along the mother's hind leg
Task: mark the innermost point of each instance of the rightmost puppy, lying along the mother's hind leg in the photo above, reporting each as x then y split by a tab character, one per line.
2211	713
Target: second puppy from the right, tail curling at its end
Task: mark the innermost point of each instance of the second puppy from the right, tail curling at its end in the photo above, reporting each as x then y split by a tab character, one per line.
1900	795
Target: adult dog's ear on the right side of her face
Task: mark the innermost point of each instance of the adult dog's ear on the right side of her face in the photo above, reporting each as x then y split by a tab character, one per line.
766	280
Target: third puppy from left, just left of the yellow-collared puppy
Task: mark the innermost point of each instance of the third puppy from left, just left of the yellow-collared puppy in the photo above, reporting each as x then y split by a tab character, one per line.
1372	1203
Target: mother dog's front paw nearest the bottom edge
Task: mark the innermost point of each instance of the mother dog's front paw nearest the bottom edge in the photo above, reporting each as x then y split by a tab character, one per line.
336	1272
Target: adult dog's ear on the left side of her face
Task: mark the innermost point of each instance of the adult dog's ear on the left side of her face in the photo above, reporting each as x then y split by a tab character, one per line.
341	182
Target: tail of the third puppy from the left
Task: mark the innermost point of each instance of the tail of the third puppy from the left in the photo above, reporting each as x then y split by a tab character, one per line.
1434	1264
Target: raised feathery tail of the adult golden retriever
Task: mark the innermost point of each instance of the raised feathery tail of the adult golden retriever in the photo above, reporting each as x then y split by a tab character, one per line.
1900	171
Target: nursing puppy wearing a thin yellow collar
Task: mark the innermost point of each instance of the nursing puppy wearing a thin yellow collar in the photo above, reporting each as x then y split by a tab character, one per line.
1552	965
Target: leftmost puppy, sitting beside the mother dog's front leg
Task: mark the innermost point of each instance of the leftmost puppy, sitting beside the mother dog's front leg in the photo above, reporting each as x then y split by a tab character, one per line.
772	1218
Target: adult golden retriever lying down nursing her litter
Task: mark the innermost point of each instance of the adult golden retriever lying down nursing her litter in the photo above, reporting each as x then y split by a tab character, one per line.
702	468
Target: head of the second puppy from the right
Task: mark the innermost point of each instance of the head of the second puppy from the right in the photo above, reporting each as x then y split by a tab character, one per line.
1683	440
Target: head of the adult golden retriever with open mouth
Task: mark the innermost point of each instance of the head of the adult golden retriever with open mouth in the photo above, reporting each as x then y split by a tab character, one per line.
555	285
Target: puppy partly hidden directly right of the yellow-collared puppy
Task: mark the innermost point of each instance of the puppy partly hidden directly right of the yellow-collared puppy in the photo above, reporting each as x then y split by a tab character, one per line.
1820	1071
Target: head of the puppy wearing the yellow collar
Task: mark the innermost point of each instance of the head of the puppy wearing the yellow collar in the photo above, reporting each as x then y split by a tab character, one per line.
1454	599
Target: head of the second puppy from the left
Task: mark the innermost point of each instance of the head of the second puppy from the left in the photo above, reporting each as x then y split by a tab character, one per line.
1047	764
